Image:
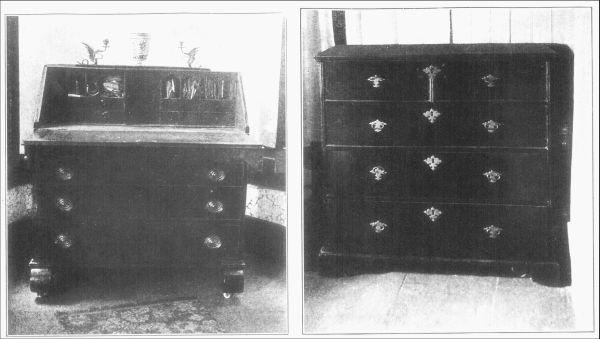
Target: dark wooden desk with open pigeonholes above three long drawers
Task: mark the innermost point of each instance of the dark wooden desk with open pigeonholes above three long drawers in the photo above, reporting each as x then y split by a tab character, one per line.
139	167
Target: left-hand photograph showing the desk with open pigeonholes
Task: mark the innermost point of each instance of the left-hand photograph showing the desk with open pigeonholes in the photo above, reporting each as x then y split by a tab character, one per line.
146	173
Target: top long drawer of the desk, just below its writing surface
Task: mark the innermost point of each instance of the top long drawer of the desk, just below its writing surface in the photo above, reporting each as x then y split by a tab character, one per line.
142	166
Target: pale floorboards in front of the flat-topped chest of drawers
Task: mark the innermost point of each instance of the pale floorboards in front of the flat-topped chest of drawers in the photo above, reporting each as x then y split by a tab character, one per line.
426	303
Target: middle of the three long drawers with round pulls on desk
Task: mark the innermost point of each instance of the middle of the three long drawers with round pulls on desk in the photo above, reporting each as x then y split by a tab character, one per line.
141	202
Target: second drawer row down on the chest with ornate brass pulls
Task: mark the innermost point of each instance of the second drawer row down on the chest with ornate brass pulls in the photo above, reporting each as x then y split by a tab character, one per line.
387	124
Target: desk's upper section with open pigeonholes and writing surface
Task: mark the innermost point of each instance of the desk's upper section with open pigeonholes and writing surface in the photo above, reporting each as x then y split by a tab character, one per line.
148	105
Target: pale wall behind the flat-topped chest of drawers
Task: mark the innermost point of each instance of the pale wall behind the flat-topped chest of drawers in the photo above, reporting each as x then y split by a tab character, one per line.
571	26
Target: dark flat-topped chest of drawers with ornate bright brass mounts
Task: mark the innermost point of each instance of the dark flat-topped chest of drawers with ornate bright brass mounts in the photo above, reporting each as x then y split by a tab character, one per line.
447	158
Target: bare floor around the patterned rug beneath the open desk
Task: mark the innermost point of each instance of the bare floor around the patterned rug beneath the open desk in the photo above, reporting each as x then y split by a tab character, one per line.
262	308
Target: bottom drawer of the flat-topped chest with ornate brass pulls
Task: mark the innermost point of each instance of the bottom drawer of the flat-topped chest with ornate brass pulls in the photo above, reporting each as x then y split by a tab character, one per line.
461	231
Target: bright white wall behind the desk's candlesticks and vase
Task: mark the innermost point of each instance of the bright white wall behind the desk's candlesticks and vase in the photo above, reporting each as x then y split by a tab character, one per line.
253	48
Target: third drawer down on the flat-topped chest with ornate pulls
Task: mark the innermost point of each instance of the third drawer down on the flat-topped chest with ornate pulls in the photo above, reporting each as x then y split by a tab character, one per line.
495	177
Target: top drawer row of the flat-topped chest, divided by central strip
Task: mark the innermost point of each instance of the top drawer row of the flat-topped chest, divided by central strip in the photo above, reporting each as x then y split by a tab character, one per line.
437	80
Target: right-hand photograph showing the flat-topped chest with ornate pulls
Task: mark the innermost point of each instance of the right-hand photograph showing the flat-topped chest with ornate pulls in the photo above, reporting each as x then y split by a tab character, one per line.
445	155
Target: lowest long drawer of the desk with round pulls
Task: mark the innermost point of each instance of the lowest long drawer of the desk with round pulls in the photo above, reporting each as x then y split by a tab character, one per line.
126	243
